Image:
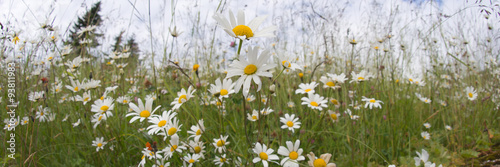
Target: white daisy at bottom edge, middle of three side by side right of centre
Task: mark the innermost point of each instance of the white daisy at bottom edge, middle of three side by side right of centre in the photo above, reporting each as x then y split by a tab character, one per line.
292	154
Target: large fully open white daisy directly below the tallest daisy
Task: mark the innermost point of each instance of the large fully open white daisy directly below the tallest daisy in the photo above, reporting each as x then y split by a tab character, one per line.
250	69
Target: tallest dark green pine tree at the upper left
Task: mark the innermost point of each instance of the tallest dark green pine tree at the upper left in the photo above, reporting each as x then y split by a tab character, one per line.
90	18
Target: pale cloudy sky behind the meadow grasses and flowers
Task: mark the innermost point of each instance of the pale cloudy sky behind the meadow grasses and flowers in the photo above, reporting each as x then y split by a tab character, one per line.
302	23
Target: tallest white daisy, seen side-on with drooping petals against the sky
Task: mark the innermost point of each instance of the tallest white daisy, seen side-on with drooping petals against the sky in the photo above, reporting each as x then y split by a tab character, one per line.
236	27
